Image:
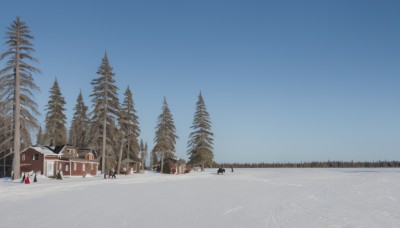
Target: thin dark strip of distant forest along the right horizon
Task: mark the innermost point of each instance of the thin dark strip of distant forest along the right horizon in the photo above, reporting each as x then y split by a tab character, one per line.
326	164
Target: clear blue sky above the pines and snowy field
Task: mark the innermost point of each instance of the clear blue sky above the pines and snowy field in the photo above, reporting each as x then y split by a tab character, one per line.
283	81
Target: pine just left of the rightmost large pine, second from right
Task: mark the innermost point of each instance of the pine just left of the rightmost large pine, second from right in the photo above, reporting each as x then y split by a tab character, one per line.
165	138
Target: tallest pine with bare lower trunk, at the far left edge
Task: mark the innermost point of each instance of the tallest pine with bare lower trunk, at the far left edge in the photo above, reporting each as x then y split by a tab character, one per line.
17	85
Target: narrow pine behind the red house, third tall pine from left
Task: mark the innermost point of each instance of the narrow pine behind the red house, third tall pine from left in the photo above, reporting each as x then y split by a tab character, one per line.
78	133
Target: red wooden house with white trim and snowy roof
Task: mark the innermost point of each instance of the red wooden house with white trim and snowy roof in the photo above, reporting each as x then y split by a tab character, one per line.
49	160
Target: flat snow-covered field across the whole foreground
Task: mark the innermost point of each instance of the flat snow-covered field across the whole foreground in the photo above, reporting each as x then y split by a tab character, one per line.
245	198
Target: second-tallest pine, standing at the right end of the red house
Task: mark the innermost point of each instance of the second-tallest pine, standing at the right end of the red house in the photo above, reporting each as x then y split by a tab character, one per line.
103	131
